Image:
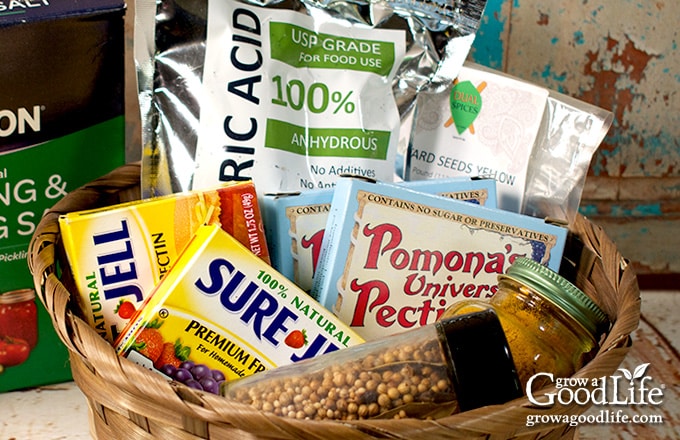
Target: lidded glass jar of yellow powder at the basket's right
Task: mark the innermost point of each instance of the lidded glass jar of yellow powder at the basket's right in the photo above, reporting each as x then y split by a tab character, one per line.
551	325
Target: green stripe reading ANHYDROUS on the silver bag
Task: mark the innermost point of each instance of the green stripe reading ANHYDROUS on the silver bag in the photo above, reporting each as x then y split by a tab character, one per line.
327	142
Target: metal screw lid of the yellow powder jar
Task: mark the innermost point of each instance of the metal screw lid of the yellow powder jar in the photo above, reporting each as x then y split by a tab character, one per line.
560	292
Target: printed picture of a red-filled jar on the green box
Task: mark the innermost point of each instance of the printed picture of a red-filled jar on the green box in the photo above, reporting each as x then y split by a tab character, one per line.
19	315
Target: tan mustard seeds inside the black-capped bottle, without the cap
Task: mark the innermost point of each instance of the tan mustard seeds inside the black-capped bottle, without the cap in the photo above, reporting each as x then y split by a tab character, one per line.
365	382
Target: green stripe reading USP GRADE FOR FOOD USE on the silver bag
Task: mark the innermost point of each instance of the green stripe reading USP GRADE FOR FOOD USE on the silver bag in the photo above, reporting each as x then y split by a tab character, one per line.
300	47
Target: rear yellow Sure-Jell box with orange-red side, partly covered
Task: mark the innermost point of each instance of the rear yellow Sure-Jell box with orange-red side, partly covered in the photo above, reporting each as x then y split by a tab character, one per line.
118	254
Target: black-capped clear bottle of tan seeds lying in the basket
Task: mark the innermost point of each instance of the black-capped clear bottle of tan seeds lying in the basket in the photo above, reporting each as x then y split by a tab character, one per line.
453	365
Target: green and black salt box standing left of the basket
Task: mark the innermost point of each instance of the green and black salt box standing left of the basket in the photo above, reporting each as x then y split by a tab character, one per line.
62	66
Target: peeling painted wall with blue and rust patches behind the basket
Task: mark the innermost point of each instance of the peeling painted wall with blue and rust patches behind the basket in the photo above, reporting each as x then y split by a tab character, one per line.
620	55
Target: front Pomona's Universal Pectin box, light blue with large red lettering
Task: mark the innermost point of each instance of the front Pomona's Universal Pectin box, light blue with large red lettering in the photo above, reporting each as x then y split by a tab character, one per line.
394	259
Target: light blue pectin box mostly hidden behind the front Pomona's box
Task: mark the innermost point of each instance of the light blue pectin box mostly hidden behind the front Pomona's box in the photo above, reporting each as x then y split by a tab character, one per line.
295	222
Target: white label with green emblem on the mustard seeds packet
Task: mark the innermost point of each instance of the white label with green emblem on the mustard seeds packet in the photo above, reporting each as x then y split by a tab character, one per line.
484	124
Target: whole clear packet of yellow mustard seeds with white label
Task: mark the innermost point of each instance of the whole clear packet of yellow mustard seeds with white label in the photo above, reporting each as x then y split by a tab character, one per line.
535	142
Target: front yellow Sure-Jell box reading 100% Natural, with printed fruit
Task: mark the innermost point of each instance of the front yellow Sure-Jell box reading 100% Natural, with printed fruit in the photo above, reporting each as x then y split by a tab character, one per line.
222	308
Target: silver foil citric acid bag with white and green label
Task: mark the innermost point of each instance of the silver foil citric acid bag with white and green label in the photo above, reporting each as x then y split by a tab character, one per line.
290	94
